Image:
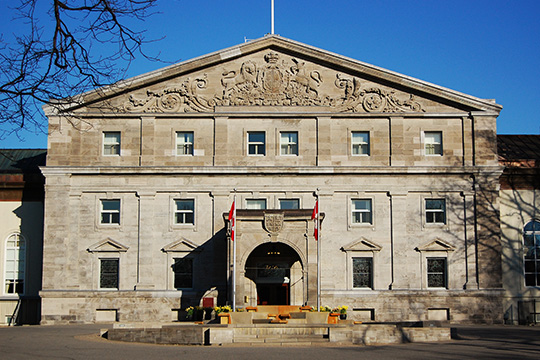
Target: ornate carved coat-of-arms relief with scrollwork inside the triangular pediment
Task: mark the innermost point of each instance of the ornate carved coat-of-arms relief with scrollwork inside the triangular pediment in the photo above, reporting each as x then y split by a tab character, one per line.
273	82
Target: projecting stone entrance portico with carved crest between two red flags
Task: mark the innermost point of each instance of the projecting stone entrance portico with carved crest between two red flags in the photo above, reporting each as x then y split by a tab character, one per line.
276	258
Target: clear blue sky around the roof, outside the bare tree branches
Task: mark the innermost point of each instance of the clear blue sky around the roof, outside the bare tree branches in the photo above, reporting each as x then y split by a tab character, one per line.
488	49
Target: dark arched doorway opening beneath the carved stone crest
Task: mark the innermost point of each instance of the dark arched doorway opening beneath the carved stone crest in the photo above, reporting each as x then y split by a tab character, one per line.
276	270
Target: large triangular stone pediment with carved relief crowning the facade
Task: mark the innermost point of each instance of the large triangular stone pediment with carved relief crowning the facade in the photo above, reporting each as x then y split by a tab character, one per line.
276	74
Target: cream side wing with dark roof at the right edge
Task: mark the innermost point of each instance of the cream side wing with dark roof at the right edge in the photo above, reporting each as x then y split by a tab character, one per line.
520	226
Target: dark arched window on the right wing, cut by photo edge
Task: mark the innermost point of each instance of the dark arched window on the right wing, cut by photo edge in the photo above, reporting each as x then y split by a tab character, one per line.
531	241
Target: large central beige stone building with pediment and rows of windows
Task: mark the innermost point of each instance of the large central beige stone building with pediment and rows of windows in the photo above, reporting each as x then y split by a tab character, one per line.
140	178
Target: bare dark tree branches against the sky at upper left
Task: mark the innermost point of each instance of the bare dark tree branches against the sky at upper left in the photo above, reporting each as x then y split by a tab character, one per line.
69	47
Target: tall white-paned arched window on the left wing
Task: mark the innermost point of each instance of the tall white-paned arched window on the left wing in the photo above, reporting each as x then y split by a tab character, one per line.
15	264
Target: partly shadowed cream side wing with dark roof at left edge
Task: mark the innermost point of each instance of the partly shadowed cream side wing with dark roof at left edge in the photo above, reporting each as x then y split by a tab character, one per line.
21	235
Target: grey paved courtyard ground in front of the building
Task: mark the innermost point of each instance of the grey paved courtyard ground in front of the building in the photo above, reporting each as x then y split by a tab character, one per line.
83	342
